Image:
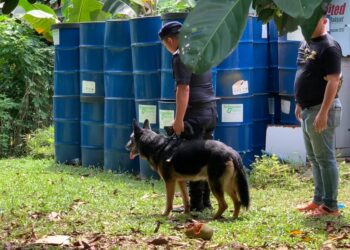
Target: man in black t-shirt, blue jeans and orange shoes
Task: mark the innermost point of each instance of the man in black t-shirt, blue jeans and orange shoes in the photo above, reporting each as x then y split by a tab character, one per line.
318	108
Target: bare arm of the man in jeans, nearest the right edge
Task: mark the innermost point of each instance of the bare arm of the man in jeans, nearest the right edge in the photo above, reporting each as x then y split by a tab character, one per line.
320	122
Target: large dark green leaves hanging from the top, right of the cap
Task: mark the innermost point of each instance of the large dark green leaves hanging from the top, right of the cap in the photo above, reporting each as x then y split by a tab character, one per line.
200	46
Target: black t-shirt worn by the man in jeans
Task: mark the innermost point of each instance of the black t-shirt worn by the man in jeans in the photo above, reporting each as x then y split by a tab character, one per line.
316	60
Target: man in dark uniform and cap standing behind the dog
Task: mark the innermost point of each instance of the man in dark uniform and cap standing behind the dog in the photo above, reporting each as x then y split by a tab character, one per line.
195	103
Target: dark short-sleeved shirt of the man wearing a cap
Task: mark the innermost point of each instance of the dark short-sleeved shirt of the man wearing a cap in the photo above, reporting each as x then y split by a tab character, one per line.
201	88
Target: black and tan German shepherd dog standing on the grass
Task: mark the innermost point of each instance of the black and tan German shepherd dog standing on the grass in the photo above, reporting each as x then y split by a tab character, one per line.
178	160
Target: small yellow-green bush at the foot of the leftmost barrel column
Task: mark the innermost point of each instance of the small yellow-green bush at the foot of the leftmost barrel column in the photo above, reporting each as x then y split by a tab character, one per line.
40	143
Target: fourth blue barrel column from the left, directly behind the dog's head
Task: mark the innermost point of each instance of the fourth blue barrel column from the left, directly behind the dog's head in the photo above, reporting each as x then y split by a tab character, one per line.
146	57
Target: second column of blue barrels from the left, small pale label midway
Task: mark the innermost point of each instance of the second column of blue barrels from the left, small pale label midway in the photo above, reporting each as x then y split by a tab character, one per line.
92	92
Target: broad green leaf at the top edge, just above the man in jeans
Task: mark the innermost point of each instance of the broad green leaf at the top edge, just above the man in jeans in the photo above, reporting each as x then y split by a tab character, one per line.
298	8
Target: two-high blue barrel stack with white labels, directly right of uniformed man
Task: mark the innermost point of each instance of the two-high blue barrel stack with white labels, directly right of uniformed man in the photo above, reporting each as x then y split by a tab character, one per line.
234	88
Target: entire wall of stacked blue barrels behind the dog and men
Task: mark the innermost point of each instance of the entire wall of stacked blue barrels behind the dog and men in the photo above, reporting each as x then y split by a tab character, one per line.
107	73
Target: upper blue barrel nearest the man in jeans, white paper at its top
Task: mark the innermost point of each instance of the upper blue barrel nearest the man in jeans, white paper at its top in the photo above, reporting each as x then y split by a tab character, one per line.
287	56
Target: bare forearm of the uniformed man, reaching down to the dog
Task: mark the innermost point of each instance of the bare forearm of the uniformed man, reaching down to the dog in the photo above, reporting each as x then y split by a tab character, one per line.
182	96
